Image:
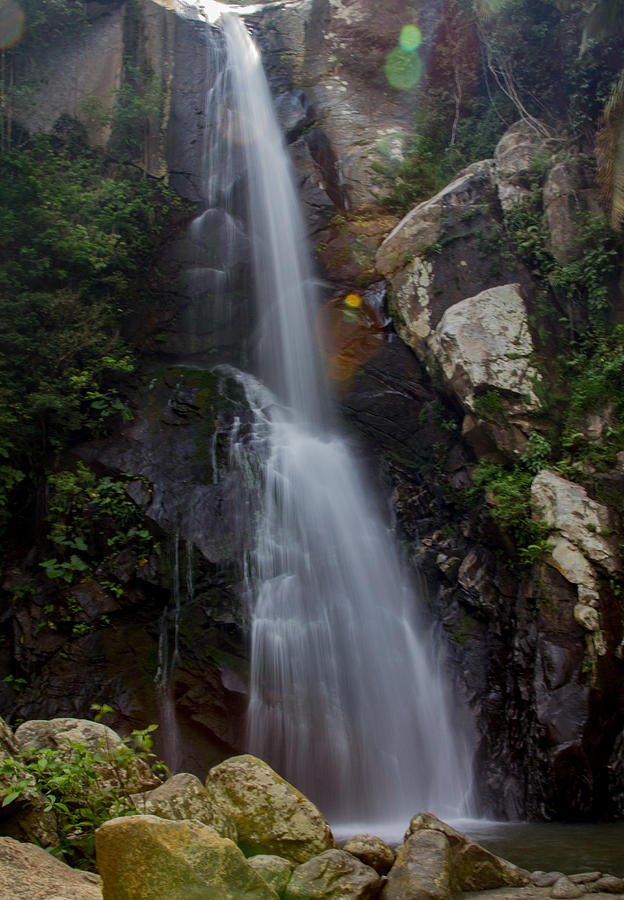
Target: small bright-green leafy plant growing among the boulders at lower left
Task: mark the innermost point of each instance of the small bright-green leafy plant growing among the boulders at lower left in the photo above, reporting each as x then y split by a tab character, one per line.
82	788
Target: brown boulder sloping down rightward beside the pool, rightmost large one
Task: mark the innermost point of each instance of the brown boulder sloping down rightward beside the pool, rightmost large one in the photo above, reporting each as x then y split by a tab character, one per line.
473	868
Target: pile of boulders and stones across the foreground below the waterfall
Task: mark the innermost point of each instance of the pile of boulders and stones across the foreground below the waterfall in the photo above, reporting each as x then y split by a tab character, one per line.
244	833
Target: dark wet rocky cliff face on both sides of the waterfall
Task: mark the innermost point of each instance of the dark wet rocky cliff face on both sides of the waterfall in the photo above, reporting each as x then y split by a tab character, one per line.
450	371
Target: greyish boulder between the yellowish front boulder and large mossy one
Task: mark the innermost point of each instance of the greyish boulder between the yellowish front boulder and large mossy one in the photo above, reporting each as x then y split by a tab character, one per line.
183	796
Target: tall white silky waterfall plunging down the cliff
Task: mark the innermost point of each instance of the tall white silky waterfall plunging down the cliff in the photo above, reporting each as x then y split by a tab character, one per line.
345	699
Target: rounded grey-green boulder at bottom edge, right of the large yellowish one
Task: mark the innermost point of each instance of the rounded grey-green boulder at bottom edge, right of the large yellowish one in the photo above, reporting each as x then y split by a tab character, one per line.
333	875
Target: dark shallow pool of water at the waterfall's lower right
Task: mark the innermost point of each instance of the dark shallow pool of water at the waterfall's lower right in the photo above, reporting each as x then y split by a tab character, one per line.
550	846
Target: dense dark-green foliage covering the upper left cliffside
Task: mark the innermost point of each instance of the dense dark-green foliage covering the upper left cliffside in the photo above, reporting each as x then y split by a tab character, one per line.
79	253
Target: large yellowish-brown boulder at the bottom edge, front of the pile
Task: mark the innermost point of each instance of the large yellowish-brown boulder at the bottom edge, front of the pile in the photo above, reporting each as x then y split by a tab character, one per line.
148	858
